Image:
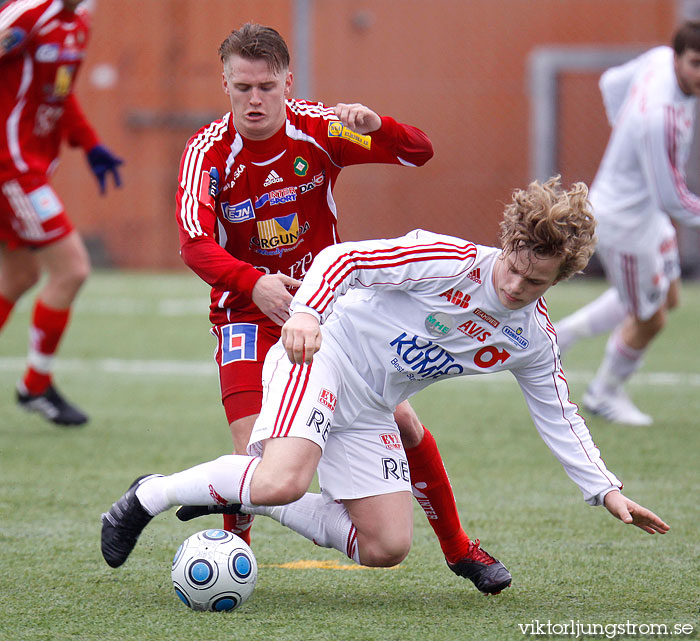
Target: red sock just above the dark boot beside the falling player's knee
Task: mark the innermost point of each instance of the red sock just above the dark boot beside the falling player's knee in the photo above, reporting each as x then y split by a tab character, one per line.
433	491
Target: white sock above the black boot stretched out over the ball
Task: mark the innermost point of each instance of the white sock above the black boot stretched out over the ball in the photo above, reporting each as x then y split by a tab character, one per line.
223	480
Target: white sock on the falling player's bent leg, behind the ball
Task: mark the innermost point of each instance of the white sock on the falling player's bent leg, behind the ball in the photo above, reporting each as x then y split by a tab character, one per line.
327	524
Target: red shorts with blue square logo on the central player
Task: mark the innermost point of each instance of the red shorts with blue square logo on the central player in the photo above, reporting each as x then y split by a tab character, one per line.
240	352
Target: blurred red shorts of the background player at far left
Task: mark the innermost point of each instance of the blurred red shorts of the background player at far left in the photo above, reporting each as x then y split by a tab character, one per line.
31	214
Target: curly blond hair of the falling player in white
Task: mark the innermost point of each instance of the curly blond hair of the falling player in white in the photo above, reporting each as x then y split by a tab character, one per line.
550	221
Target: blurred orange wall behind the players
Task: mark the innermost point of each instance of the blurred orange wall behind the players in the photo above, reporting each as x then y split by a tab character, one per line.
455	68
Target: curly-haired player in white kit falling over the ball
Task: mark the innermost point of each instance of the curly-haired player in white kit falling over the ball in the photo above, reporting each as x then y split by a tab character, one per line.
373	323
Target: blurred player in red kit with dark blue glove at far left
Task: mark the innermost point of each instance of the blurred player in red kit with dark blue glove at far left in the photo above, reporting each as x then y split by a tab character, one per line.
42	44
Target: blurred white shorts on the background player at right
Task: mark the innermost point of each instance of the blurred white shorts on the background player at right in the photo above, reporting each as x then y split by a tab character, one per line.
642	275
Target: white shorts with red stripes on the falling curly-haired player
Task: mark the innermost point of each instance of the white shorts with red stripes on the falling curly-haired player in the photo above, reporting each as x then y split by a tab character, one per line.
328	403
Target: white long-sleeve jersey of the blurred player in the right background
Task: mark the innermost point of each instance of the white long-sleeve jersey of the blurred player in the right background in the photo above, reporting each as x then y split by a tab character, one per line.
641	179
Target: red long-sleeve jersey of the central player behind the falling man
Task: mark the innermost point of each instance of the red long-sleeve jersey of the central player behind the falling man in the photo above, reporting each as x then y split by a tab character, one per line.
247	208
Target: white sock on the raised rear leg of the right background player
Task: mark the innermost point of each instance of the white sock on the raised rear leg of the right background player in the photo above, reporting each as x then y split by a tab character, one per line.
597	317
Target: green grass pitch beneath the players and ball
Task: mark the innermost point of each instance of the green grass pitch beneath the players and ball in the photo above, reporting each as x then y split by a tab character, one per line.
138	359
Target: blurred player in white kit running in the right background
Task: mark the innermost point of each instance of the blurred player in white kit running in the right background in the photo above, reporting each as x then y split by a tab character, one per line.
640	185
